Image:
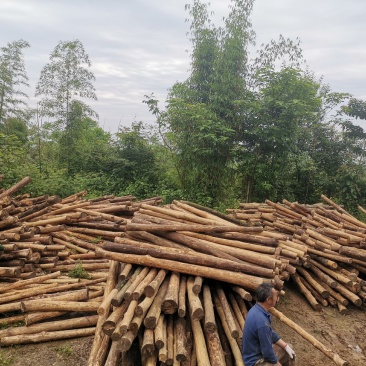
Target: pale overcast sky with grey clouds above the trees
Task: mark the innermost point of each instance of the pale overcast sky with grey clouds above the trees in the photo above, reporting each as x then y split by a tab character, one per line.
139	47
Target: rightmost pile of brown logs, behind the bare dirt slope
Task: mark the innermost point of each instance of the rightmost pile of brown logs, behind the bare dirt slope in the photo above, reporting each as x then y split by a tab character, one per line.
330	244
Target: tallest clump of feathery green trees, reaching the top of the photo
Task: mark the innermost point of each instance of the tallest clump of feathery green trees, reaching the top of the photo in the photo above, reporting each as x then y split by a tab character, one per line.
208	115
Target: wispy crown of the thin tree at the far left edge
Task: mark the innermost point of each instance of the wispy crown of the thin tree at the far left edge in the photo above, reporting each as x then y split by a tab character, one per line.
13	79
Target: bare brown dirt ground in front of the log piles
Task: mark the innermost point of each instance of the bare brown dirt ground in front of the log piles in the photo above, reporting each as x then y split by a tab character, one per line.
343	334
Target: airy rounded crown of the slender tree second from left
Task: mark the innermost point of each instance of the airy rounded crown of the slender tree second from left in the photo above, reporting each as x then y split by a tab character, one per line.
66	79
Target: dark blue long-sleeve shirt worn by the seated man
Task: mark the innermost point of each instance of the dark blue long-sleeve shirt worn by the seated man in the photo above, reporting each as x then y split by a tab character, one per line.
258	337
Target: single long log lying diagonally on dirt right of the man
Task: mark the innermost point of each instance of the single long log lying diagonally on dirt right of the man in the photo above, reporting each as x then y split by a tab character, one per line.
302	332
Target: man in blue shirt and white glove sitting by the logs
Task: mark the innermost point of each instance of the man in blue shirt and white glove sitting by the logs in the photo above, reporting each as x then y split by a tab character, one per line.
261	346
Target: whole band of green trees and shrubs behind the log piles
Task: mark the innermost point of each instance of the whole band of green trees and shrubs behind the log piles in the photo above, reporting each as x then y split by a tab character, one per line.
245	126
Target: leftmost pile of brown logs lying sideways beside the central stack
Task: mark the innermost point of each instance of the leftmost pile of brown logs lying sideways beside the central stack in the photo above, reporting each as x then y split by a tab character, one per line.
42	240
